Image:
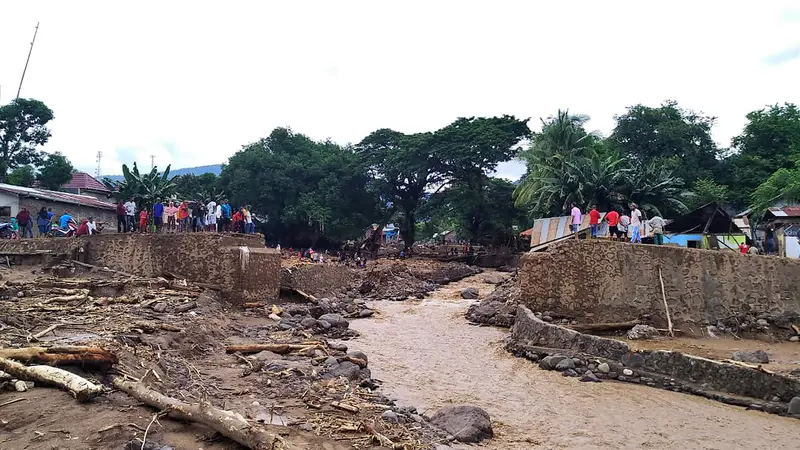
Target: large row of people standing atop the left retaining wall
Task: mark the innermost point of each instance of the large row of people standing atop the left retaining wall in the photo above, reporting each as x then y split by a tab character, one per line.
183	217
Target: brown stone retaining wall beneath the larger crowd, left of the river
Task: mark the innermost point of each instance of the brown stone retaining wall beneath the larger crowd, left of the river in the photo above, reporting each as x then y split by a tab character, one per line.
239	264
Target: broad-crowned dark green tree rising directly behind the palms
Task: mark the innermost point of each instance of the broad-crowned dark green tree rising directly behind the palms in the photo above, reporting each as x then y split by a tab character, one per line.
671	136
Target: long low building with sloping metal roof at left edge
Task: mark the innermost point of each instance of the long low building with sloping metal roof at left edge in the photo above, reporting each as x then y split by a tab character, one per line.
13	198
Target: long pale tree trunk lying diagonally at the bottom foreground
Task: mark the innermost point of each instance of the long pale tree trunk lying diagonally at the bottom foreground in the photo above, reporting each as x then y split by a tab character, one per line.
229	424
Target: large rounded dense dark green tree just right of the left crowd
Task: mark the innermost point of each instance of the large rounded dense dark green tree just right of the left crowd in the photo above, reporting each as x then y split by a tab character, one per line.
307	189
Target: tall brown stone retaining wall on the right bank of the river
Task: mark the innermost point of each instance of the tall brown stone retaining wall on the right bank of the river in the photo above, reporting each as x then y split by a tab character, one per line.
596	281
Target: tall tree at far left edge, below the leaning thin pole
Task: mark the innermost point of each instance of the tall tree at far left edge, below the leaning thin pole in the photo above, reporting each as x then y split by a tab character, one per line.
22	129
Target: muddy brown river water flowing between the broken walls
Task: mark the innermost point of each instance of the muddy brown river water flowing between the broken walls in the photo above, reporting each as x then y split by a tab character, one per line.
429	356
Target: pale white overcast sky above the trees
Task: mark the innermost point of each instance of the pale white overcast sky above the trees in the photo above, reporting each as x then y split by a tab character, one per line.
190	82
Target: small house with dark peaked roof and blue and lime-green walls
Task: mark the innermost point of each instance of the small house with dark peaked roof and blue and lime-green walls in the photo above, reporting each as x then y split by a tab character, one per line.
708	226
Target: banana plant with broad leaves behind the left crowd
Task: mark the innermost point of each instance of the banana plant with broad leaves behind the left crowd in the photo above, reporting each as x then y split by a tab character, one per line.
144	188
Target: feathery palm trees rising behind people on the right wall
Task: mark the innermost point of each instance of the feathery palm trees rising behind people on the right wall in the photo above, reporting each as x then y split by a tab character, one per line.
568	165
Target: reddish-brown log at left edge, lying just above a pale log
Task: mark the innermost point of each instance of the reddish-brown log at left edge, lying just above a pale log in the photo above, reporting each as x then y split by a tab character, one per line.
68	355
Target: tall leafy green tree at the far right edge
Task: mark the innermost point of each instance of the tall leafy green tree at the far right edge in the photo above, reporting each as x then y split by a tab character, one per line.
770	141
